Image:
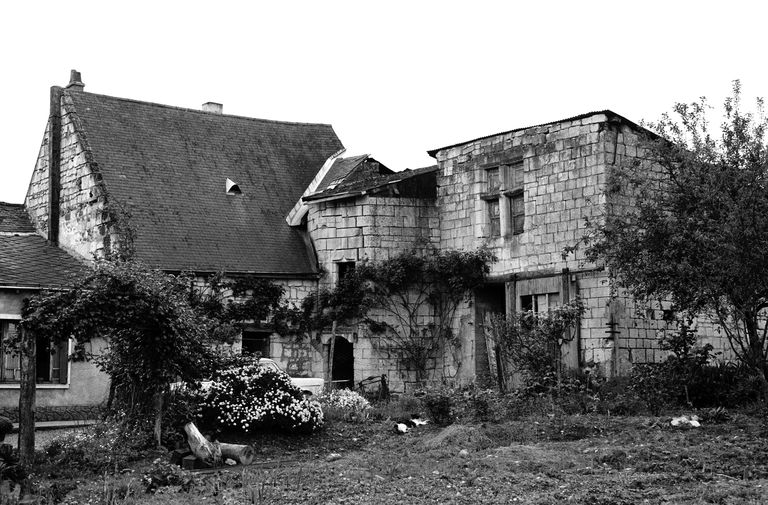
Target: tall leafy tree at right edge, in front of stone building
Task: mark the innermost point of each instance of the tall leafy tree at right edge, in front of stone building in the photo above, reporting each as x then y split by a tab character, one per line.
690	222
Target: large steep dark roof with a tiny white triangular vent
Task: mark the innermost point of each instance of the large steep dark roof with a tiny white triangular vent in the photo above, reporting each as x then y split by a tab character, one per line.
168	167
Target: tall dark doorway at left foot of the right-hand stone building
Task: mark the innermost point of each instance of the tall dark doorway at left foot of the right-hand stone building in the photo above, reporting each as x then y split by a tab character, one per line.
489	300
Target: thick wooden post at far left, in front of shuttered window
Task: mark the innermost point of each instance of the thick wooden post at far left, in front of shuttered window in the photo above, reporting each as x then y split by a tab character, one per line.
27	391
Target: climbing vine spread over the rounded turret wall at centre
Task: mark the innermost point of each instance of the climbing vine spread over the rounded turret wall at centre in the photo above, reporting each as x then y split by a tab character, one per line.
410	299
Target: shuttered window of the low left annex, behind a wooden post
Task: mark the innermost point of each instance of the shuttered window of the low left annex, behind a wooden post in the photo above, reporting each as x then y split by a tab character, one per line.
52	361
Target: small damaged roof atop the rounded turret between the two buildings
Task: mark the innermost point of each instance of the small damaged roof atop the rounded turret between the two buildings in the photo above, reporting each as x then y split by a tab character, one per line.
371	178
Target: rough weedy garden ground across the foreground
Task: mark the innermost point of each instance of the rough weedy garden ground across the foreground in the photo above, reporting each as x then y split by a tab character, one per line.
594	460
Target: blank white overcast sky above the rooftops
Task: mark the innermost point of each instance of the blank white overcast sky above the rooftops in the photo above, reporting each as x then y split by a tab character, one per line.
394	78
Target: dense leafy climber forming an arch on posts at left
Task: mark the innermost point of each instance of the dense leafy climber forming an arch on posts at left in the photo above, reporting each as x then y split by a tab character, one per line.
154	335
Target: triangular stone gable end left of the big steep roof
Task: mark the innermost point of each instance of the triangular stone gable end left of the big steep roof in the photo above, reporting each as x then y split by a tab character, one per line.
86	222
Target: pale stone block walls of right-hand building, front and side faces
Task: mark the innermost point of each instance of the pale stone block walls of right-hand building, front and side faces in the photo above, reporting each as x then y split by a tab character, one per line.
565	166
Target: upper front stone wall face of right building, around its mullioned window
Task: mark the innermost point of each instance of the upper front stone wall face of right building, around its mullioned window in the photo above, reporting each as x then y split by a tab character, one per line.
563	179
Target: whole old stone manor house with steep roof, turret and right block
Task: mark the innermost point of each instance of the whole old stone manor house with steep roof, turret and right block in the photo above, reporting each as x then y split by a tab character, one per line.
208	192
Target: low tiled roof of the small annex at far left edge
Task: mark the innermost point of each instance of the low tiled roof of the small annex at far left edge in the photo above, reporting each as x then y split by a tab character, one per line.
26	259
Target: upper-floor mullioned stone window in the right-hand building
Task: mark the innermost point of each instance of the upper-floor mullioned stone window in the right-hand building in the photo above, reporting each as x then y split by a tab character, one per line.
504	183
